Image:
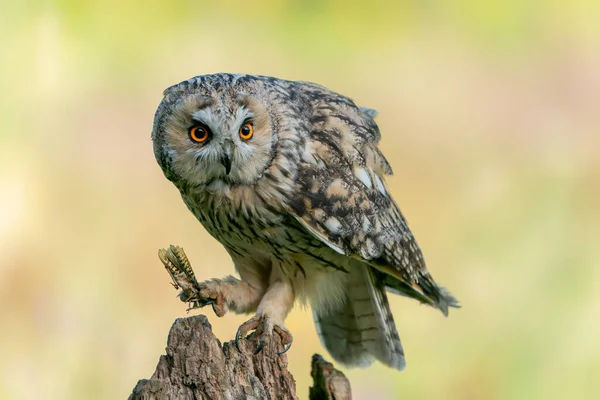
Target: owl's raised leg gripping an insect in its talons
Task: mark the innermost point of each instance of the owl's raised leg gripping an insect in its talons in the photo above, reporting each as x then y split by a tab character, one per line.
230	294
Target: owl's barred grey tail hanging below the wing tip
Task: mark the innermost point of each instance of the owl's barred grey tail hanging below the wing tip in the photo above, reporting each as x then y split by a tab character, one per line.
363	329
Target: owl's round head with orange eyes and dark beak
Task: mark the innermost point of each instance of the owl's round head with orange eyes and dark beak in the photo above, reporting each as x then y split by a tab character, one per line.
213	131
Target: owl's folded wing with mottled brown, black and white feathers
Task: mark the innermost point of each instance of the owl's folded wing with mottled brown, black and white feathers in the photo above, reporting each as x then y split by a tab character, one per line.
344	202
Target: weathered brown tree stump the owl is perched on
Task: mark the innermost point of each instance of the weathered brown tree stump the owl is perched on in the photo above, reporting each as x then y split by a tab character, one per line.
197	366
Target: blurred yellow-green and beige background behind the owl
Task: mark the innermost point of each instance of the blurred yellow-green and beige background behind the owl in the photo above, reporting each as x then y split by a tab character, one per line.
490	113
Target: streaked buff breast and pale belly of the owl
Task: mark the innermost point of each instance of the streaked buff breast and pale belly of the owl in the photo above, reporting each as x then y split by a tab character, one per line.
272	235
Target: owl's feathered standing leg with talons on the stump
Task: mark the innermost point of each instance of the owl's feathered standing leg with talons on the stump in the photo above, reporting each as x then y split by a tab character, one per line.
270	315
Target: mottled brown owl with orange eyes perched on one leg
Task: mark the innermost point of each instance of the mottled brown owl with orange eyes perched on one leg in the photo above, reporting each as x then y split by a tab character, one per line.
288	177
